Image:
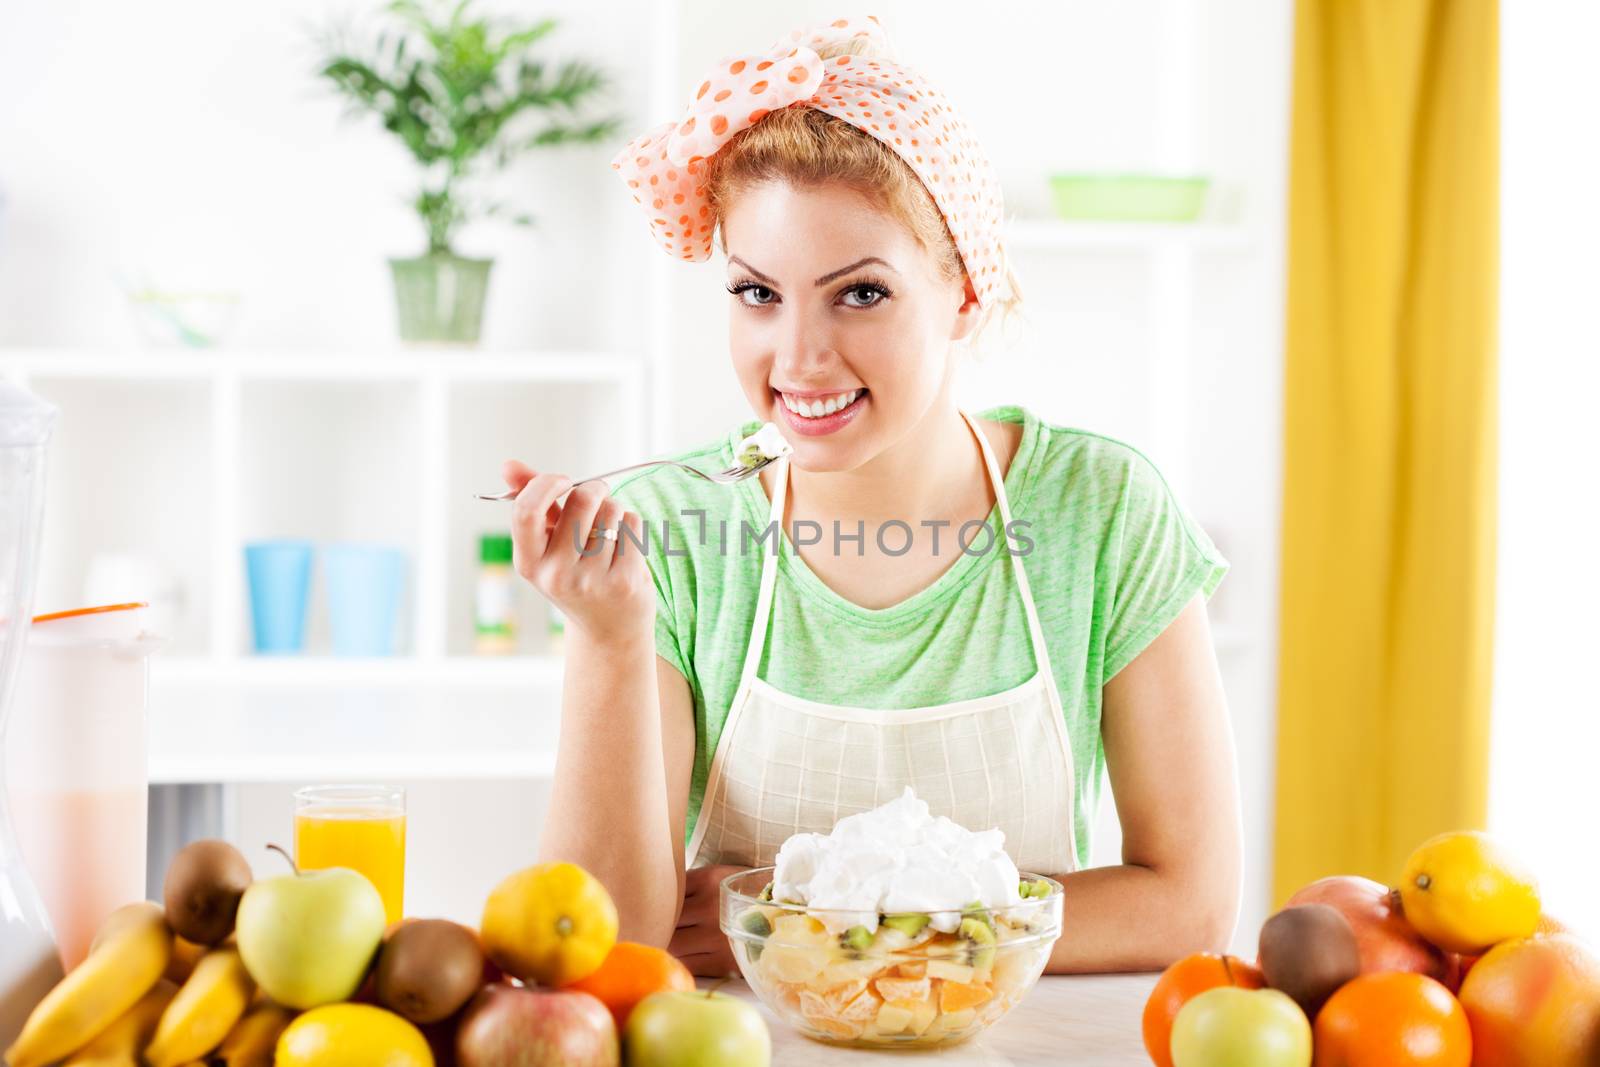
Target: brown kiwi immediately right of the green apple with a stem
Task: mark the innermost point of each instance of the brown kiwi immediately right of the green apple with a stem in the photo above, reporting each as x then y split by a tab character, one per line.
428	970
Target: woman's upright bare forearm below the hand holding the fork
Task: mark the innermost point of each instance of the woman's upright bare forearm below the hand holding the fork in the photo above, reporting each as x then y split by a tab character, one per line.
609	807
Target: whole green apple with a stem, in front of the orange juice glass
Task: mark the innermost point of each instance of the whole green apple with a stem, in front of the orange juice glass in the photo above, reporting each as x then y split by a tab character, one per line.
310	938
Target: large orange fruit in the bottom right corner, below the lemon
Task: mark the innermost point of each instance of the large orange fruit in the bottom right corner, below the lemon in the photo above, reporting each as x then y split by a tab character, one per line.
1535	1004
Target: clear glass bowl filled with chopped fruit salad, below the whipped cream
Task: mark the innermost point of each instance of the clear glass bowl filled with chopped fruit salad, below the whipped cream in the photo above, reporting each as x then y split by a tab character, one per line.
918	981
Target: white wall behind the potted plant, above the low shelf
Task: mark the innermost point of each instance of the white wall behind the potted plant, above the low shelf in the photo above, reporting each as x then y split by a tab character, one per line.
191	140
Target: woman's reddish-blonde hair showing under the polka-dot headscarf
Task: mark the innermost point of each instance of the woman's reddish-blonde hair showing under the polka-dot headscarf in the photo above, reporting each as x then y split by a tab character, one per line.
804	146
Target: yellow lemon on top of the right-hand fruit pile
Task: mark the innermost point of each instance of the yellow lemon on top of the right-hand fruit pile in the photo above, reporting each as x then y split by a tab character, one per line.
1466	895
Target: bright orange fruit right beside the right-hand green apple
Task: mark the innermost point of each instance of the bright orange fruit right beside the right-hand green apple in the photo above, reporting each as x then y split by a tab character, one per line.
1394	1020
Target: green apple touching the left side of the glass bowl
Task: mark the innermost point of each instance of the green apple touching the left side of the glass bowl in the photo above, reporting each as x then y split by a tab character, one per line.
697	1029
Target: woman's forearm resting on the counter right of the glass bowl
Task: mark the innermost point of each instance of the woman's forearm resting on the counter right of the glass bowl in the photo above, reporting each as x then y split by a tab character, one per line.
1137	919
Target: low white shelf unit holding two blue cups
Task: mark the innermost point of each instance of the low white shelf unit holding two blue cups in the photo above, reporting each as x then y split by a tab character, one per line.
191	455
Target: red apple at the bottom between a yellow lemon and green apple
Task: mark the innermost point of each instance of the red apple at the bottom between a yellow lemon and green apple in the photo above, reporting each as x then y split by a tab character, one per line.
508	1026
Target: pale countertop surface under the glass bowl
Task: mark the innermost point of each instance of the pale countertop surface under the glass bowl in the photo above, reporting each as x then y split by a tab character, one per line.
1079	1020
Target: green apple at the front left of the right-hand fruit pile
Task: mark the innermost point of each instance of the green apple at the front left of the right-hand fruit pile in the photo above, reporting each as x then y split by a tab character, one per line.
1231	1026
